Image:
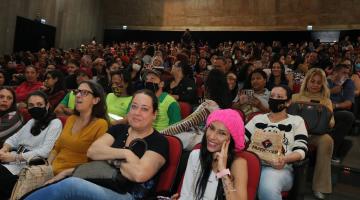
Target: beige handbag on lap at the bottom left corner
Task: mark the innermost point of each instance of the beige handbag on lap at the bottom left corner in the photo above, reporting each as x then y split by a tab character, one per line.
36	172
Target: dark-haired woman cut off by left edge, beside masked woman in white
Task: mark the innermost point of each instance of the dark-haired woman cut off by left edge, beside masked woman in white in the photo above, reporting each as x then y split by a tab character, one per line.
10	119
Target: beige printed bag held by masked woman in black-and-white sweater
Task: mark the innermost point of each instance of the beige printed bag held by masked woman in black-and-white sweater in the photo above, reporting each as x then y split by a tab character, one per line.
267	145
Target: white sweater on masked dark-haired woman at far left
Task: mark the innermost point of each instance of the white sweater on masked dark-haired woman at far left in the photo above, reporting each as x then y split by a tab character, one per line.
39	145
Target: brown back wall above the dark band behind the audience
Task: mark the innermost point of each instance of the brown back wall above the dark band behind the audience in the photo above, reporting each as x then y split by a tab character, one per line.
232	14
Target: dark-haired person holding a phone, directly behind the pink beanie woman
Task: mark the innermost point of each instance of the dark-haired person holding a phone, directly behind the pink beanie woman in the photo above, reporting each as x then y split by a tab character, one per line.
257	100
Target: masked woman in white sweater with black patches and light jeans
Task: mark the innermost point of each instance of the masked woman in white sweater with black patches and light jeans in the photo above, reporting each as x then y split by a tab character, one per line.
277	175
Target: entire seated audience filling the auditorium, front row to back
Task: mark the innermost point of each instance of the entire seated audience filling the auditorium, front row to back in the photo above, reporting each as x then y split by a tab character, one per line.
107	96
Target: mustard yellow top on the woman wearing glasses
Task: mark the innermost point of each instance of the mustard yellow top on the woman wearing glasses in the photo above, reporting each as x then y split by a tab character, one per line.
71	147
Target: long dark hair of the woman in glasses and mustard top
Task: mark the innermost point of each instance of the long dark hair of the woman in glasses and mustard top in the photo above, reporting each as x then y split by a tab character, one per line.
99	110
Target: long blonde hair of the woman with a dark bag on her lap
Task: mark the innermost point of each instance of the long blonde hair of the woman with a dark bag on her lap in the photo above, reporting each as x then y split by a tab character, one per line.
325	91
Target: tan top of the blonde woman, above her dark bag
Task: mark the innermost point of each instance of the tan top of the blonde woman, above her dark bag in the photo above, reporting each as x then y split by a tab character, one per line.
317	97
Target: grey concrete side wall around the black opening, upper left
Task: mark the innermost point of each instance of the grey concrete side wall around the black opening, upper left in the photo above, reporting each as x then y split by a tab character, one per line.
76	21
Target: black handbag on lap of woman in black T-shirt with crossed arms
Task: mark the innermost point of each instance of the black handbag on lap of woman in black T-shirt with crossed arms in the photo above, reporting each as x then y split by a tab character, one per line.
106	173
